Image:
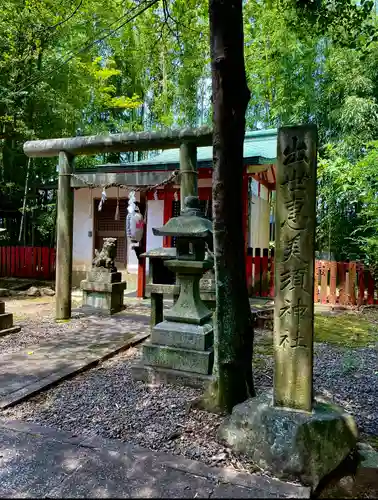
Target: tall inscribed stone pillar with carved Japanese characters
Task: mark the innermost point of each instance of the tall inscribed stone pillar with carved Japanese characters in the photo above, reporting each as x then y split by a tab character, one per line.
294	280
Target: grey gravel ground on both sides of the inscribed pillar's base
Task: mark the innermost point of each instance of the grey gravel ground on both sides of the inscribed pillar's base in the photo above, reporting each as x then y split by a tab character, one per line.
107	401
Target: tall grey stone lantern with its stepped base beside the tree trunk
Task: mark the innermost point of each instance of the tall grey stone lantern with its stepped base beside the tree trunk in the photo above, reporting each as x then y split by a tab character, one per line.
181	346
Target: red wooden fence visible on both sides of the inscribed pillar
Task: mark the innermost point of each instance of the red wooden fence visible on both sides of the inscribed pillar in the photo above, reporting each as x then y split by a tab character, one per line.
344	283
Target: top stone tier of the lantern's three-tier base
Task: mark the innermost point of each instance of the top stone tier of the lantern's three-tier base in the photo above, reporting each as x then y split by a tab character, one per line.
186	336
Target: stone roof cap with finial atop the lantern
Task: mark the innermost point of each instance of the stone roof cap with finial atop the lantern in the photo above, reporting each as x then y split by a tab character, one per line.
189	224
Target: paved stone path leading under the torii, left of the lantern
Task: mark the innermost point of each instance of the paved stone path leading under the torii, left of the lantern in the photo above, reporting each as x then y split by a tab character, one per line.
28	371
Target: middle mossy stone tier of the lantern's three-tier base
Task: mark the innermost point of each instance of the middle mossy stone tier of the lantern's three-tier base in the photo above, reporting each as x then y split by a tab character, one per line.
178	359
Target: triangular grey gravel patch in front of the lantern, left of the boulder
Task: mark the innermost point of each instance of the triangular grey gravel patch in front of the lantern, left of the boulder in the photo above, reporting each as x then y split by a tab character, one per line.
107	401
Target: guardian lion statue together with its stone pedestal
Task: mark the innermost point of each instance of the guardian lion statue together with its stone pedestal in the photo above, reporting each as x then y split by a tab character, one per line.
103	289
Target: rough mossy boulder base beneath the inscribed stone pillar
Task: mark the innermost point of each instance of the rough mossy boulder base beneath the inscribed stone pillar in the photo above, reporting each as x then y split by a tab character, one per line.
291	444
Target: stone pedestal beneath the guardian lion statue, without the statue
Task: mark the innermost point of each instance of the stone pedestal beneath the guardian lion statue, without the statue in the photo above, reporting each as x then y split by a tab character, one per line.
103	291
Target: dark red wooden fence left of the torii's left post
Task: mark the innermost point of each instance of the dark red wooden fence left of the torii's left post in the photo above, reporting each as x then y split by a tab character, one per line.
27	262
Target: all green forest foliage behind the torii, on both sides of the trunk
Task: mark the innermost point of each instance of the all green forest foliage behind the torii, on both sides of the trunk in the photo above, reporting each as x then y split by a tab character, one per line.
306	61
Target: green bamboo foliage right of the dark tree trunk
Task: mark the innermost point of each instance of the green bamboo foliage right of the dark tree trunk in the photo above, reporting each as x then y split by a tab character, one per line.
303	65
